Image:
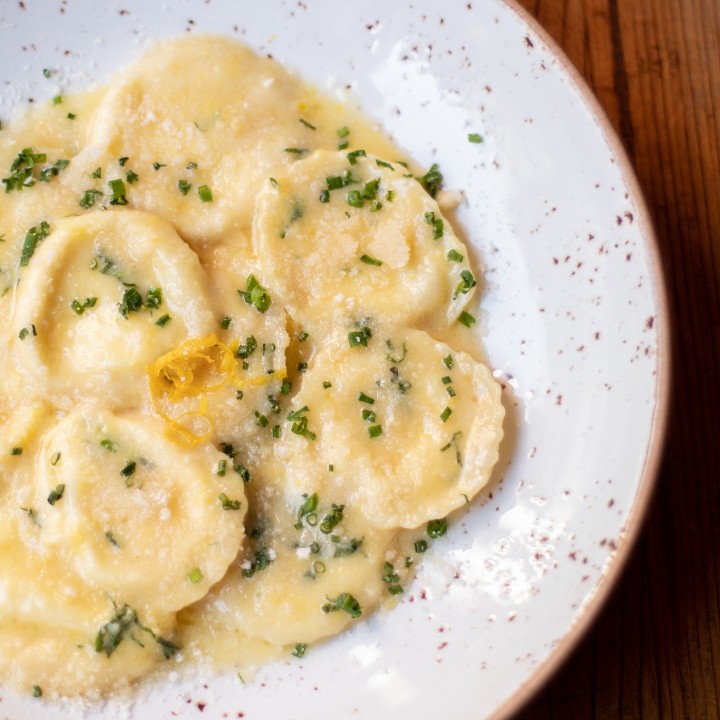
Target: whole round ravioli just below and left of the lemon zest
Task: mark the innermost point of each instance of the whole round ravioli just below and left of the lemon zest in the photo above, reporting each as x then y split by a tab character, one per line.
151	522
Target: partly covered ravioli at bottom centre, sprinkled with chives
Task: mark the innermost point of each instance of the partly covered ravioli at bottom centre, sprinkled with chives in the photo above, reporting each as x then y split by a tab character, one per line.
305	574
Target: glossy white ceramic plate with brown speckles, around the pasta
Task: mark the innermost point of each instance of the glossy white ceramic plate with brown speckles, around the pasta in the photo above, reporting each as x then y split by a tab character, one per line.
574	320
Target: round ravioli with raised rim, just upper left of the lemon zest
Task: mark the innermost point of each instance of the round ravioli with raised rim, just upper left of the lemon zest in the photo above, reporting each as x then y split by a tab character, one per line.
101	296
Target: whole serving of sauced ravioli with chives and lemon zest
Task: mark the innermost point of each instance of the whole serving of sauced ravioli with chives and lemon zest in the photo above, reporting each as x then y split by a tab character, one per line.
242	389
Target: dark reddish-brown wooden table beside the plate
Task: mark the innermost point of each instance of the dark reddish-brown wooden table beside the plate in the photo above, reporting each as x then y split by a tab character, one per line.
654	651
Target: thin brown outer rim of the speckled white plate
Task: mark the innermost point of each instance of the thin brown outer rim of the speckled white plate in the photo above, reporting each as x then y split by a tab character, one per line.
647	483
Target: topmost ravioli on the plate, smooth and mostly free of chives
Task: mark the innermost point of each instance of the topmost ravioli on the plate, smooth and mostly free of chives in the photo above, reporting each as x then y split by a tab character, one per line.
203	122
